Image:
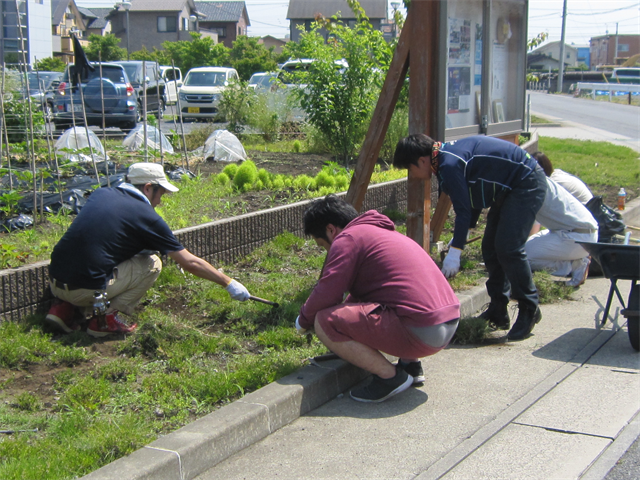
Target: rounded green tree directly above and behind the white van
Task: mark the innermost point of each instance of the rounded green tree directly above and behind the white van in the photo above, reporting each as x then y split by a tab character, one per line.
199	52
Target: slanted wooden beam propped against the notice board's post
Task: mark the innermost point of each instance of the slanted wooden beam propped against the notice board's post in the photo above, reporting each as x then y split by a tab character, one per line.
380	119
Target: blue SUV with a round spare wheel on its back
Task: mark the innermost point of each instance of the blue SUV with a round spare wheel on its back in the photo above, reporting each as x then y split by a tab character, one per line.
113	90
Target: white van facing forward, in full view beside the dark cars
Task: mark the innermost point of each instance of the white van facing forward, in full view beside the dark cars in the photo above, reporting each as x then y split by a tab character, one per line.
201	91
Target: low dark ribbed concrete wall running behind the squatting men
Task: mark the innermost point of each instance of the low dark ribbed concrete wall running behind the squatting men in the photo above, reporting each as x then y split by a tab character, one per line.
25	290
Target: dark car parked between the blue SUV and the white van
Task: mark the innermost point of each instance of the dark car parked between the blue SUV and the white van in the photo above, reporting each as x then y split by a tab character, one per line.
151	81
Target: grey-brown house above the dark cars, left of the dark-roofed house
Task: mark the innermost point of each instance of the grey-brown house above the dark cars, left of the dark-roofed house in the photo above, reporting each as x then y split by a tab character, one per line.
152	22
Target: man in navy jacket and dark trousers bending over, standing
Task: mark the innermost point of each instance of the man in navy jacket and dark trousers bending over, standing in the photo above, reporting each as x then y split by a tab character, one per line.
480	172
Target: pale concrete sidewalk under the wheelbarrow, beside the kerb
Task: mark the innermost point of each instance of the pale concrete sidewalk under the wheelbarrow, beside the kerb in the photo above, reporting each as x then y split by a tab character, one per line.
562	404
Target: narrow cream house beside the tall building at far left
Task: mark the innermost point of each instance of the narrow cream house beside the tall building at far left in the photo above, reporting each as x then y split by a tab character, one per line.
66	18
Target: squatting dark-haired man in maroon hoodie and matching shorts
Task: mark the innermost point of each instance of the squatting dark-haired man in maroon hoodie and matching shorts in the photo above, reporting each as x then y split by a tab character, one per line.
399	302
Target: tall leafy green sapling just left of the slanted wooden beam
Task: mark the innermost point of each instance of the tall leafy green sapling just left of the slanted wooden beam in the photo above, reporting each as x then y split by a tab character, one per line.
339	102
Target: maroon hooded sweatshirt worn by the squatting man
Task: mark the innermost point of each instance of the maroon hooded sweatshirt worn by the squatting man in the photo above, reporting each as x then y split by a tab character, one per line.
374	263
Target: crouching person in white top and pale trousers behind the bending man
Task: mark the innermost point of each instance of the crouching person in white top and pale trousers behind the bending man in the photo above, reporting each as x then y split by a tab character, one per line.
555	249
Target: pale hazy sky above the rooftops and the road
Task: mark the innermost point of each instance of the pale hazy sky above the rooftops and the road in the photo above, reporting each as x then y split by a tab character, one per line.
585	19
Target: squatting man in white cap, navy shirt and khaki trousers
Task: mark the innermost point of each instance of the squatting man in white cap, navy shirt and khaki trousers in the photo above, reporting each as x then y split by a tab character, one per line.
110	247
